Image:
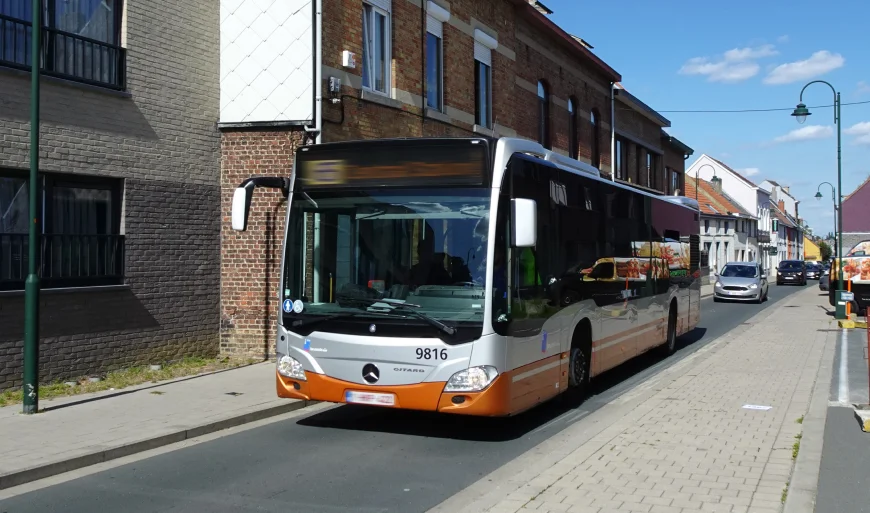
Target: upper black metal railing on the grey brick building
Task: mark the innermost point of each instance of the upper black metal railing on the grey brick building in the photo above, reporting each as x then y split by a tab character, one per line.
64	55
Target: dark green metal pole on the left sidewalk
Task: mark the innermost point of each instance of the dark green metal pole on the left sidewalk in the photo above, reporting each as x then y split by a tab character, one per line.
31	286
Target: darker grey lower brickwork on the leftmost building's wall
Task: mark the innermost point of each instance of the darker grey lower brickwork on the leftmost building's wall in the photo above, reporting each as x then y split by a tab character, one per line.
167	311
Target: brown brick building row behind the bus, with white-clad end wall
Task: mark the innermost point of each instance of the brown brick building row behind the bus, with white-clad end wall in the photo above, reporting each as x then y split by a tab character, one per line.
405	68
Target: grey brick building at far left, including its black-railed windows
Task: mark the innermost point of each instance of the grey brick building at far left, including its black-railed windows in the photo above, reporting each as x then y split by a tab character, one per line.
129	184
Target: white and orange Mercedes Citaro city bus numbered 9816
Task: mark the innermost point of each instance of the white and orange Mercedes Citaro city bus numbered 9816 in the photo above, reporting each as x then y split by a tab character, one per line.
478	276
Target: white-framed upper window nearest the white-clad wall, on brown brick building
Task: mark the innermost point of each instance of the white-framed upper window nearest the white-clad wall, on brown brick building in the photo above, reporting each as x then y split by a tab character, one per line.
376	47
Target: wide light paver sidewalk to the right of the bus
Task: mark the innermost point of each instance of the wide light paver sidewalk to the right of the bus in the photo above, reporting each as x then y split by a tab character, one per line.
683	441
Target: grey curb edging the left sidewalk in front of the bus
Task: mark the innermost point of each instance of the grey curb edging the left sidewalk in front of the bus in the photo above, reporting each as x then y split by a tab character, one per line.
59	467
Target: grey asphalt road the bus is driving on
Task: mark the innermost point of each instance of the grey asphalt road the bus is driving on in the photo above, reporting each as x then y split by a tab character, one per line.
352	459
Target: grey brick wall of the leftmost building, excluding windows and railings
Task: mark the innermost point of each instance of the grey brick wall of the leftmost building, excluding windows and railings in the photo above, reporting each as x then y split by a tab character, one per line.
161	137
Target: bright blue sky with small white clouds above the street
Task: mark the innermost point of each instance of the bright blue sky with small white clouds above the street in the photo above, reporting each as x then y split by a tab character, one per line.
742	54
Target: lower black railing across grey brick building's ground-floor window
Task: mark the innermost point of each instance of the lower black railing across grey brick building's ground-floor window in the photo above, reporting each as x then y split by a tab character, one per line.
65	260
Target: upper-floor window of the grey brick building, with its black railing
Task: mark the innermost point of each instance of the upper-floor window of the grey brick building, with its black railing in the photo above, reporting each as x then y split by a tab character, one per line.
81	39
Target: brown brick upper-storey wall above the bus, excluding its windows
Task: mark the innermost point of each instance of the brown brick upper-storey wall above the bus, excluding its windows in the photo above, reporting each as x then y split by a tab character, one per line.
525	52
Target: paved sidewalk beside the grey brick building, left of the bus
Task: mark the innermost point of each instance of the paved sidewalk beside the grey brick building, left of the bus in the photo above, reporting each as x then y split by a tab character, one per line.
74	432
